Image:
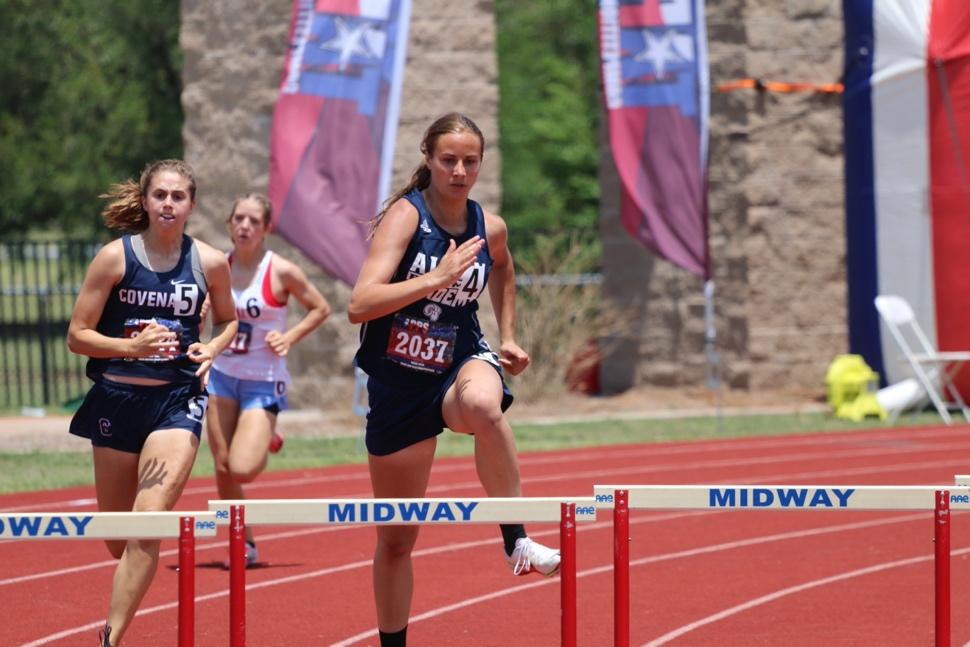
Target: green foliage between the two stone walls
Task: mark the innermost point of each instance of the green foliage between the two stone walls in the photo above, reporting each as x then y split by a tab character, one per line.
548	117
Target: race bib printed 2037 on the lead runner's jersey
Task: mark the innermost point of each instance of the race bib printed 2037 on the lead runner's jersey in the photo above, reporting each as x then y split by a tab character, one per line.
421	345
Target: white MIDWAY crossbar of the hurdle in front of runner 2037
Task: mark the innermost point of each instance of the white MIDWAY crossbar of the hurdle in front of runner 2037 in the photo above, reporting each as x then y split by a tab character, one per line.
401	511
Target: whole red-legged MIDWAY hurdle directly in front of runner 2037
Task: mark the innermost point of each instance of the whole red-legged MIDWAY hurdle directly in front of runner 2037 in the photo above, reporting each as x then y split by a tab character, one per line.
492	510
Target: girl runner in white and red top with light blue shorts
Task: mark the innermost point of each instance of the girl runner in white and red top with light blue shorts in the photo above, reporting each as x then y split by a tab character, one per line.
248	381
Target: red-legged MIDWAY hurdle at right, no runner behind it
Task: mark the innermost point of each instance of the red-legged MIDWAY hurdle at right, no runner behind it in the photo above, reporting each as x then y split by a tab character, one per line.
623	498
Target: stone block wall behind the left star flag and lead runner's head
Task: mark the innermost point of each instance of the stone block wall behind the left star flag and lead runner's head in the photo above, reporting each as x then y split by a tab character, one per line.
233	57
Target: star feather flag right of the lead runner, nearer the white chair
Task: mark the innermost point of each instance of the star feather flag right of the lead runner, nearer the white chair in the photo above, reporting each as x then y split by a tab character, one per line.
655	82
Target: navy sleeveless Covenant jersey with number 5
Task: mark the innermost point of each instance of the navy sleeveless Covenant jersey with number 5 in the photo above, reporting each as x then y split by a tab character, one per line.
173	299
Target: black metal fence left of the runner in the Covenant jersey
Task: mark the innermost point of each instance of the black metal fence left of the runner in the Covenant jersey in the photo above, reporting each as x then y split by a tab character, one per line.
39	282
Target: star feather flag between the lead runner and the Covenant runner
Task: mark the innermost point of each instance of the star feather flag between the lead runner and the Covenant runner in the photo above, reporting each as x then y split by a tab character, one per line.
334	126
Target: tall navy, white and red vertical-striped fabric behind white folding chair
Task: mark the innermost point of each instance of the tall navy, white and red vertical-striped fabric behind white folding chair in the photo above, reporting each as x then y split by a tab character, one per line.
907	142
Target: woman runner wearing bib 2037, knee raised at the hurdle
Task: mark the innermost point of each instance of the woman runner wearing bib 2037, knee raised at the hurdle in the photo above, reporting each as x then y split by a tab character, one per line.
428	364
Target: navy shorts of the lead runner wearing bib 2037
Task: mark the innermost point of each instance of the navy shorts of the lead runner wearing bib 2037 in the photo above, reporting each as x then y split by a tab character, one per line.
404	414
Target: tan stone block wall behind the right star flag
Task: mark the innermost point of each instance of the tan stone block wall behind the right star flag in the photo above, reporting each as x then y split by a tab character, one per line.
776	218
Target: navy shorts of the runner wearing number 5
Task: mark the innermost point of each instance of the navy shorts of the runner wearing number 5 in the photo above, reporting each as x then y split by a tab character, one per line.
121	416
